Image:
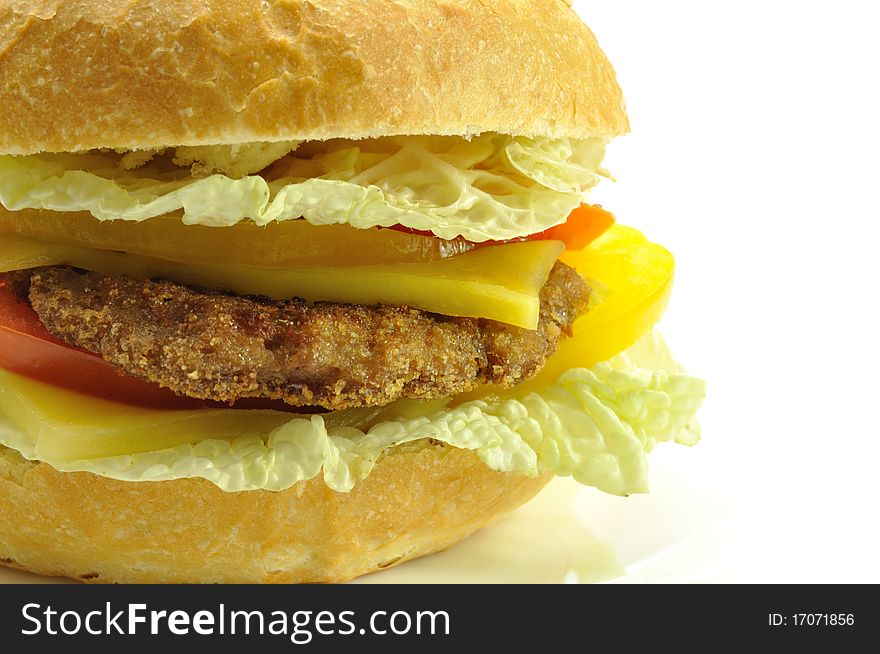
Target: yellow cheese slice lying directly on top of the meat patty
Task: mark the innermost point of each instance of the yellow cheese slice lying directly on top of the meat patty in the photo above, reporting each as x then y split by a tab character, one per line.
500	282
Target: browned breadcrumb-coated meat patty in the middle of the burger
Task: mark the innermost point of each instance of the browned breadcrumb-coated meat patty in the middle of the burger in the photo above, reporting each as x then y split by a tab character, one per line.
217	346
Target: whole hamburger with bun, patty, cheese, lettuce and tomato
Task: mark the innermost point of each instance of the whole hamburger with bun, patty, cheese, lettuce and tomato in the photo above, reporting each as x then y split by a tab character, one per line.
296	291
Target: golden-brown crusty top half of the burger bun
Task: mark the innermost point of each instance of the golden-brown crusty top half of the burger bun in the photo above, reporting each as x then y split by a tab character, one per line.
140	74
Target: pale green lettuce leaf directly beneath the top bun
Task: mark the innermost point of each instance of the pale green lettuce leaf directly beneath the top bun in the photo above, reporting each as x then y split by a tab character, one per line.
490	187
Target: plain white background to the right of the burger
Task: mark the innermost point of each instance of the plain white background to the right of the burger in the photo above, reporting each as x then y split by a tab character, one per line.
755	157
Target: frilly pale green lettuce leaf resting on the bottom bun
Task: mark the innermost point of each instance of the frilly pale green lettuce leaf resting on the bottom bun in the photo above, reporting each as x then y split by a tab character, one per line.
596	425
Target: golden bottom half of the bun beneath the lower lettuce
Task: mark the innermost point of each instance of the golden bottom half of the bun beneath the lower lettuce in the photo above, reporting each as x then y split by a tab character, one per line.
417	500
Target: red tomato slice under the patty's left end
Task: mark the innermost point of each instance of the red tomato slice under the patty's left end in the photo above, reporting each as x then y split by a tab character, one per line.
27	348
